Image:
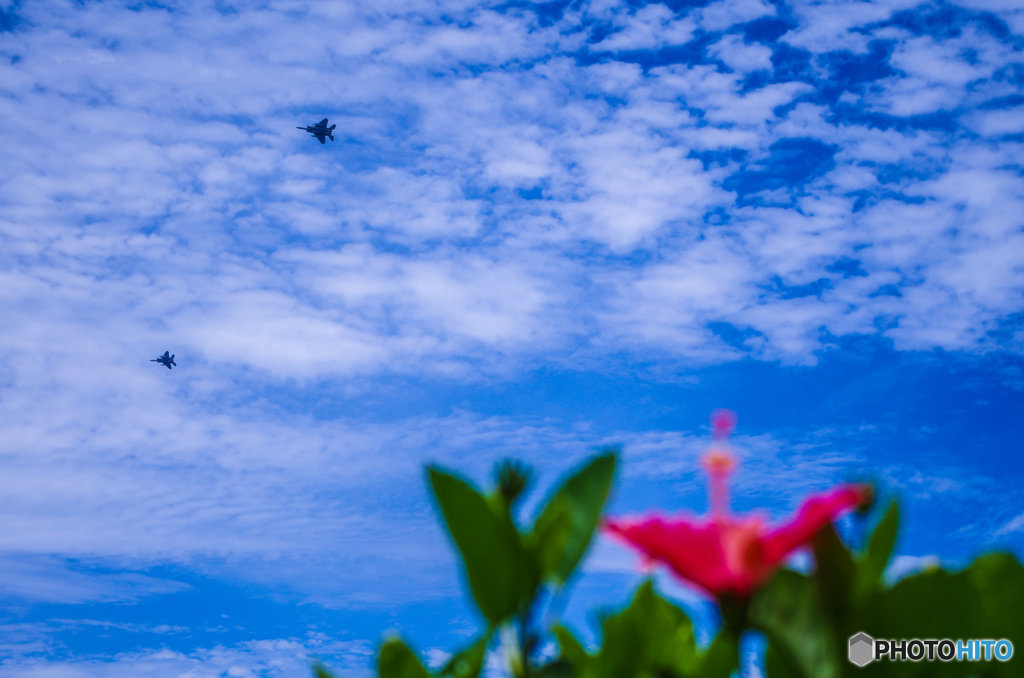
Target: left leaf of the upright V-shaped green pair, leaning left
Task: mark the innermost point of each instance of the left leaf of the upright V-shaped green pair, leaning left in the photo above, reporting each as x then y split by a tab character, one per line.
499	572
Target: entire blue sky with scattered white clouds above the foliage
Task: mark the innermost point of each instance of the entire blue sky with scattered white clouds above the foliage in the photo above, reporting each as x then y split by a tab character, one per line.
543	228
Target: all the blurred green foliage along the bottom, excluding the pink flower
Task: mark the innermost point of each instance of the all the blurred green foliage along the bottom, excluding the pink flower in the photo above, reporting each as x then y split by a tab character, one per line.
806	619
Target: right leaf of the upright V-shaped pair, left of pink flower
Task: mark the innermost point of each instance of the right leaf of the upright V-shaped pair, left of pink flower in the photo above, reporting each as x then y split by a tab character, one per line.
566	527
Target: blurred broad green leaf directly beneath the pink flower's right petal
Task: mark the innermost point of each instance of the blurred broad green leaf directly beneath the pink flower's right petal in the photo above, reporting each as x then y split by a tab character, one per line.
789	611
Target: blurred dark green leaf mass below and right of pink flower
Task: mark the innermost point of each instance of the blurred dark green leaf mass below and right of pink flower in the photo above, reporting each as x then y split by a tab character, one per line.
809	619
